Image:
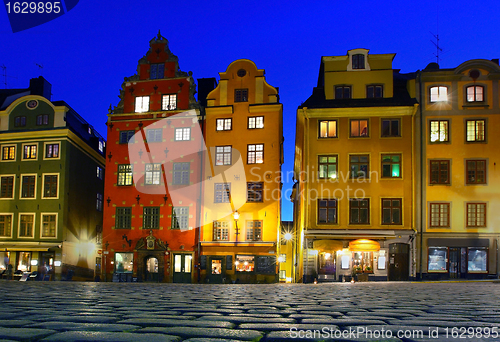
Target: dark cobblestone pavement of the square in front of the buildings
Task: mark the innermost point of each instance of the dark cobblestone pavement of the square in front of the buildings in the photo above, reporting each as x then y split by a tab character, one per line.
74	311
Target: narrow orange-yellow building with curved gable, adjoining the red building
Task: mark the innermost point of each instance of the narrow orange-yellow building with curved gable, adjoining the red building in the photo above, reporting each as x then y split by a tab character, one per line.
242	187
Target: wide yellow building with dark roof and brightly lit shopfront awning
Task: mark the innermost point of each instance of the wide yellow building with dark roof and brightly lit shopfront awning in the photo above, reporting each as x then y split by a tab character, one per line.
354	200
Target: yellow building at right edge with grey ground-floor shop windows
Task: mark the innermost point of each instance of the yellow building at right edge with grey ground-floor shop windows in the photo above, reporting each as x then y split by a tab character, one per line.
459	185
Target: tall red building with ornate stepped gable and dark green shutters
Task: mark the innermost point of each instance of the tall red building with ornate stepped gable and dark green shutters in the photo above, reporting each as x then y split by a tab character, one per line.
151	210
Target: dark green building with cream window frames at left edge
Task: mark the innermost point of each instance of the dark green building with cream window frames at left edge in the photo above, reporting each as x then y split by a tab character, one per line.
51	175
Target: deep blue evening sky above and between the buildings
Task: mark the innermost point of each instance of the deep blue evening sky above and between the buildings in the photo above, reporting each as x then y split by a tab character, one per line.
87	52
